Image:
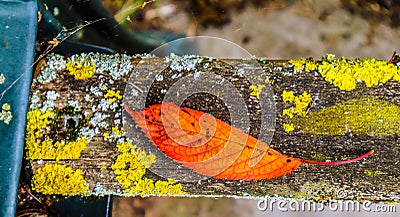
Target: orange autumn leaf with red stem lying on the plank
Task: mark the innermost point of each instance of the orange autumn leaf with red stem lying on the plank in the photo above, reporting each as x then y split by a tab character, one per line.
212	147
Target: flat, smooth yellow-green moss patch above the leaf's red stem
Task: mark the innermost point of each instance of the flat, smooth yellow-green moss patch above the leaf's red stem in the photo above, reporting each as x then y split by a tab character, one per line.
360	116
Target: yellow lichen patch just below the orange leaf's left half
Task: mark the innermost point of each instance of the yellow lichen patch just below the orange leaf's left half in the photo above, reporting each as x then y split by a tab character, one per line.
130	168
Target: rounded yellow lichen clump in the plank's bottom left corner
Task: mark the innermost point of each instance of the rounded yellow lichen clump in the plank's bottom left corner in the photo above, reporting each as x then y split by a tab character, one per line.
59	179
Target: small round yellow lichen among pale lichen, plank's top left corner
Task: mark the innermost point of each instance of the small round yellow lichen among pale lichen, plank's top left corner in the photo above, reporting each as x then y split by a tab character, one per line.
81	69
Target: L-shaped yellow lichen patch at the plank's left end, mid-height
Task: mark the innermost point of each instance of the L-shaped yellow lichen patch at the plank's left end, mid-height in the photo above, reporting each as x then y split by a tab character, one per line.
41	146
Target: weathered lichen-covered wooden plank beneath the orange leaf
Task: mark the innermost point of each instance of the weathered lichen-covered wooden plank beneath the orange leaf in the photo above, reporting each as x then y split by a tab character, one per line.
76	141
